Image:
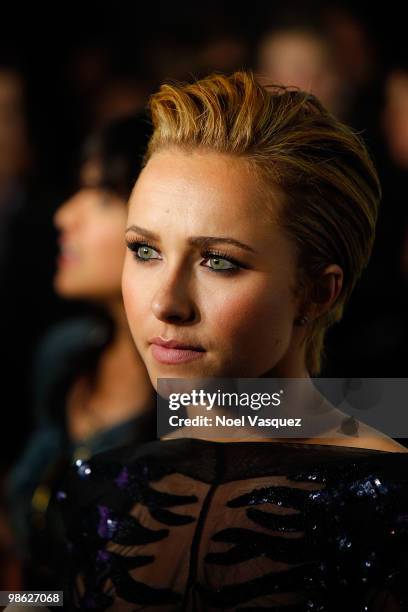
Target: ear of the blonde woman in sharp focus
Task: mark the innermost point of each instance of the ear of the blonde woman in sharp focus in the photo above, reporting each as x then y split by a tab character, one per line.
325	291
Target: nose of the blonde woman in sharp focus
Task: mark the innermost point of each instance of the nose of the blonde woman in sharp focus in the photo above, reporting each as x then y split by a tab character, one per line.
173	301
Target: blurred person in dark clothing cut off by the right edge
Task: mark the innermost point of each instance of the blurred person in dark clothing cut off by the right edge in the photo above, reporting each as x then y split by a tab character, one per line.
378	321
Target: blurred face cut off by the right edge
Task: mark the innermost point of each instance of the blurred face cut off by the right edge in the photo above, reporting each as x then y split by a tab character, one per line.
395	120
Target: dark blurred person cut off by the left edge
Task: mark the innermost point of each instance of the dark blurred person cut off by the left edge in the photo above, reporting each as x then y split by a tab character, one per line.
23	221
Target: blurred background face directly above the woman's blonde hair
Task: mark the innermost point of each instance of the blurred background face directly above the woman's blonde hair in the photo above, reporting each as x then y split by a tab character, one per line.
302	57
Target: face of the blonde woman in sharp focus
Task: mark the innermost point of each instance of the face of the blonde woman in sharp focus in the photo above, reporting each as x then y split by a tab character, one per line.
208	271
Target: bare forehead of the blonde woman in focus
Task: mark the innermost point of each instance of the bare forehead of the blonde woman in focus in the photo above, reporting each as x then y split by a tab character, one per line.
201	185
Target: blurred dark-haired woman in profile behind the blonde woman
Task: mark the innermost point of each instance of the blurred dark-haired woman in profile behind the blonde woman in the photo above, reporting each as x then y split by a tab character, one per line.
91	386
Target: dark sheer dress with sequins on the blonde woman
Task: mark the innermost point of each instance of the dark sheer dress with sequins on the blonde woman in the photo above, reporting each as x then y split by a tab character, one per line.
197	525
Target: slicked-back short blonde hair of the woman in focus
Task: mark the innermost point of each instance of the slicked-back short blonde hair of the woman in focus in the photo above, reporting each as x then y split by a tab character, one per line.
330	187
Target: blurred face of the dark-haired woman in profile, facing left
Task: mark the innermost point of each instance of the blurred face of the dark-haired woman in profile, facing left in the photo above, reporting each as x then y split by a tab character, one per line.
91	226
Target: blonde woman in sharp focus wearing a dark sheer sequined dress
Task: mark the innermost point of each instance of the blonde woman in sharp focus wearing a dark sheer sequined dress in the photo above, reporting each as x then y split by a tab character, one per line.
248	229
